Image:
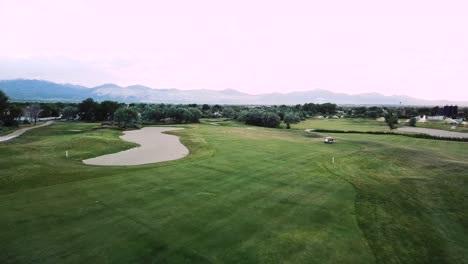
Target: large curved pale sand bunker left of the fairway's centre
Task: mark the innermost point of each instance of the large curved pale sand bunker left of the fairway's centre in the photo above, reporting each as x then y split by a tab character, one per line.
154	147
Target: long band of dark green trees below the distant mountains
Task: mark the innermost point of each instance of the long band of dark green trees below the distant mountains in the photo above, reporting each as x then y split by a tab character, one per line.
125	115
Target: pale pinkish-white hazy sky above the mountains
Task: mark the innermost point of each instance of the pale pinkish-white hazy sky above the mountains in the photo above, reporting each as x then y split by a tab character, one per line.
412	47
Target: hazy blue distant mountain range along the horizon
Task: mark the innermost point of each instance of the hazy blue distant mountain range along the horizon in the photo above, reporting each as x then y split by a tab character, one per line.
39	90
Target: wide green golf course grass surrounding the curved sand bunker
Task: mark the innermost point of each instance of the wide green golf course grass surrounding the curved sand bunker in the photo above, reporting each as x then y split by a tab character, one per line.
243	195
